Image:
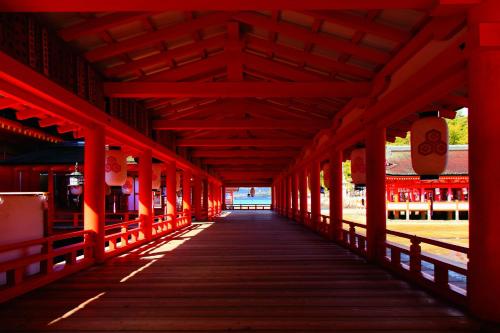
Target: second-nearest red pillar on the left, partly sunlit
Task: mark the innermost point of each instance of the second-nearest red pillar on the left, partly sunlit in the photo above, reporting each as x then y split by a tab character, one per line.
146	193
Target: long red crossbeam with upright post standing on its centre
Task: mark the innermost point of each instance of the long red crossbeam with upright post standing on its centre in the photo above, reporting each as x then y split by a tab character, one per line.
236	89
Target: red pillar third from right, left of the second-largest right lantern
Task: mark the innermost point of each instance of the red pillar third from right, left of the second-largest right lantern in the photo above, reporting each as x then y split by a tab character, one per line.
336	193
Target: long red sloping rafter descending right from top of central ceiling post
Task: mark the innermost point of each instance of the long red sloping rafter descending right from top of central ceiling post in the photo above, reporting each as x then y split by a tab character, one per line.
305	35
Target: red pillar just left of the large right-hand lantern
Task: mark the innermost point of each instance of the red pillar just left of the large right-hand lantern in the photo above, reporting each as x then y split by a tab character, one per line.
375	194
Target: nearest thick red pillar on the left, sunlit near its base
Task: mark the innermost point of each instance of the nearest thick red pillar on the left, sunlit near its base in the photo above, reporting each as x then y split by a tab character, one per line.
94	194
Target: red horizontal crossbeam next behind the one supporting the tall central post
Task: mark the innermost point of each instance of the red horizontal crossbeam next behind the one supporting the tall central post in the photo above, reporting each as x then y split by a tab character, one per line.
237	124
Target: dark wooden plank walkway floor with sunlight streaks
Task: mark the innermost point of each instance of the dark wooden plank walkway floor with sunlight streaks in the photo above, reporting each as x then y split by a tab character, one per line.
250	271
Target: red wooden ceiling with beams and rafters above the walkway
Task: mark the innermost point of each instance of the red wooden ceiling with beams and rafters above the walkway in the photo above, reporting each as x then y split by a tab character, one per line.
242	90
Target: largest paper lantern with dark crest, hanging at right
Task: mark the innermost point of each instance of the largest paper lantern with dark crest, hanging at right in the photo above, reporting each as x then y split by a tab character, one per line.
429	146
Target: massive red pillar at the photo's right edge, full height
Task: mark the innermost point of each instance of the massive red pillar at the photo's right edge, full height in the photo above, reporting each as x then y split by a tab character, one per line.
484	161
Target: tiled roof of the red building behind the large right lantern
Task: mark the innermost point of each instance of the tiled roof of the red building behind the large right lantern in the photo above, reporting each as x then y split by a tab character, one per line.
399	161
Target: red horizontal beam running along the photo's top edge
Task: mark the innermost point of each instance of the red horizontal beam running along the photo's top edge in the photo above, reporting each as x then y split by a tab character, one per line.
163	5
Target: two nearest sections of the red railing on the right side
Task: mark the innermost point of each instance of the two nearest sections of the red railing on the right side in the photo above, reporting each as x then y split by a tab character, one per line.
442	276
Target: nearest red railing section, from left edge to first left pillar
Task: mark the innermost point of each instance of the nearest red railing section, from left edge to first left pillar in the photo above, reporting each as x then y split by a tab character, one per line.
40	261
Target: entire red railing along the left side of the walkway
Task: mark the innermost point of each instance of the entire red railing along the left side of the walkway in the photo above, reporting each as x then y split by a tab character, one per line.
38	262
